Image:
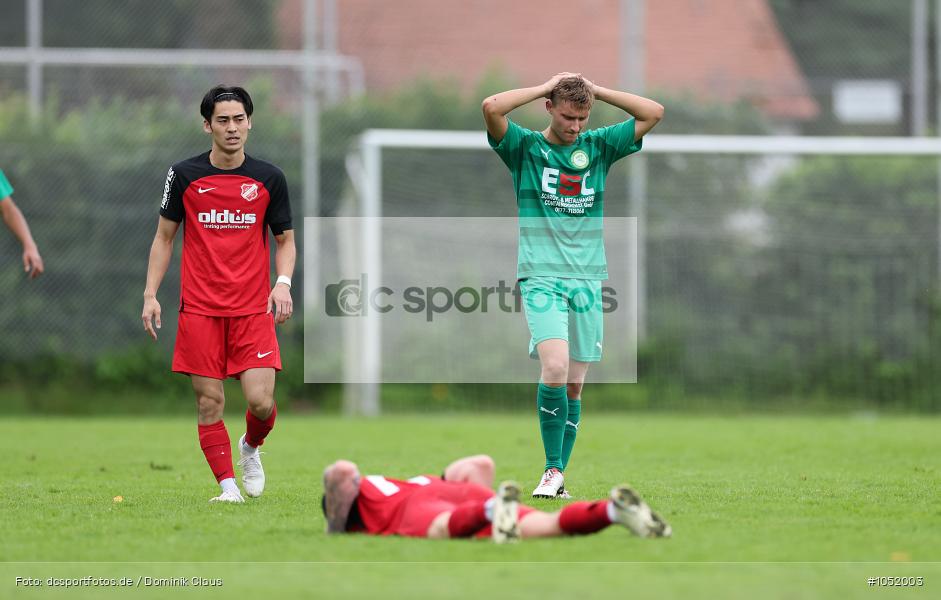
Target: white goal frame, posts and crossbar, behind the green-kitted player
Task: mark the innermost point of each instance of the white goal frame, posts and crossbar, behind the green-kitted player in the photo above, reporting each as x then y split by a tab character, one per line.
364	167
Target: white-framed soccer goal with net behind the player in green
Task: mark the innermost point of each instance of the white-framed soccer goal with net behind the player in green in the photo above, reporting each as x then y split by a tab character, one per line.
768	265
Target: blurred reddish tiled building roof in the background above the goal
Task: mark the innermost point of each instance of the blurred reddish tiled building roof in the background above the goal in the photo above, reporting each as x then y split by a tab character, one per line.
723	50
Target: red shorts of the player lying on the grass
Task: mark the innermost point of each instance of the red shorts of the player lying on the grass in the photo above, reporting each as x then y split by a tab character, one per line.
440	497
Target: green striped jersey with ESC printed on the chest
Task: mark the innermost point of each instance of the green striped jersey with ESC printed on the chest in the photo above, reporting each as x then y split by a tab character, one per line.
560	196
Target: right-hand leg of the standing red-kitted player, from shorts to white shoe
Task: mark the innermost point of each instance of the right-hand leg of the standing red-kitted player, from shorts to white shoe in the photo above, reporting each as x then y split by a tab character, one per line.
258	387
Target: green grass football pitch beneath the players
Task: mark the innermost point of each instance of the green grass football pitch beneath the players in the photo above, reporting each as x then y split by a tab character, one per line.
761	507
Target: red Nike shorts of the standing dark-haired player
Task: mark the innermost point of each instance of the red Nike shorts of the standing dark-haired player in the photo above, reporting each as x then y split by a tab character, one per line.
221	347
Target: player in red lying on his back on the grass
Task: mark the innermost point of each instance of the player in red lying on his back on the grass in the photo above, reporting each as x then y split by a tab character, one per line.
462	504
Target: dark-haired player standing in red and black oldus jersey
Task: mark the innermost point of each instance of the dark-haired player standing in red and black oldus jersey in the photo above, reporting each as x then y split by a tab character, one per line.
228	309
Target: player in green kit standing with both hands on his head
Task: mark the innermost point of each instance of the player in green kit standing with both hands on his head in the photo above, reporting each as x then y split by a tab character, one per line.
559	180
